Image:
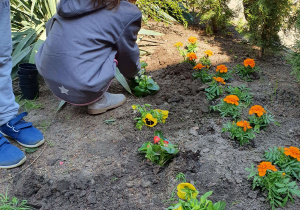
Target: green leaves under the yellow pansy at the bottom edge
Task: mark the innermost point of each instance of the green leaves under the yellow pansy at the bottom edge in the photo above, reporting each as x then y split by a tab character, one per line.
202	204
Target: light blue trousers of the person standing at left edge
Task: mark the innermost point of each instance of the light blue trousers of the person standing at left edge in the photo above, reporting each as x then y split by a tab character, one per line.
8	106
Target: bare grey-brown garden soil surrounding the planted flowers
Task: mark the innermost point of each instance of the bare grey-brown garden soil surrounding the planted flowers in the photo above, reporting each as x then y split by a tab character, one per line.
92	162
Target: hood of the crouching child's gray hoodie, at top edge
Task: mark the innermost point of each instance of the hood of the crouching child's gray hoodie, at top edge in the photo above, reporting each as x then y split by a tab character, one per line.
73	8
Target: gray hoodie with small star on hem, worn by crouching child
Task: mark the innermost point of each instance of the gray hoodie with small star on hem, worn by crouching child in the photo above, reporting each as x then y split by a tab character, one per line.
77	57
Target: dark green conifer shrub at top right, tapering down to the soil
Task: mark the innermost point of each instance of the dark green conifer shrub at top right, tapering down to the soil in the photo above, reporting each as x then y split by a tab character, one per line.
265	19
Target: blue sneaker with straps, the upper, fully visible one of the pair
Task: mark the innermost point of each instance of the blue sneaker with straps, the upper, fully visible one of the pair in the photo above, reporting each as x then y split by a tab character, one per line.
23	132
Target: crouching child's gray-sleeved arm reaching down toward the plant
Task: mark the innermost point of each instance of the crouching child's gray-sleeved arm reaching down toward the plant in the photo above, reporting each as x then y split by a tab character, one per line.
128	50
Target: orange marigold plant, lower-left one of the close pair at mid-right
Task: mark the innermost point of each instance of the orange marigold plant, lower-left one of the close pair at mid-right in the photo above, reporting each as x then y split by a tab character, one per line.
240	131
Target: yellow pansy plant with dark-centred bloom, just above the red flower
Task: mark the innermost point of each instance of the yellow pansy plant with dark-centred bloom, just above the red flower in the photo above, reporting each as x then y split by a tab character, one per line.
150	117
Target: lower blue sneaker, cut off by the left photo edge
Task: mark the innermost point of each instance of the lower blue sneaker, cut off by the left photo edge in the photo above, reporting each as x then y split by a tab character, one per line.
10	156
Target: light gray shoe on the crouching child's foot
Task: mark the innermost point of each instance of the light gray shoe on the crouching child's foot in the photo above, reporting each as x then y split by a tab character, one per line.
108	101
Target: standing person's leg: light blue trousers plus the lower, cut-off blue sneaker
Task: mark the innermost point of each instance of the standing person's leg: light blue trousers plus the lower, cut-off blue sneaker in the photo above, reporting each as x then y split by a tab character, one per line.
10	156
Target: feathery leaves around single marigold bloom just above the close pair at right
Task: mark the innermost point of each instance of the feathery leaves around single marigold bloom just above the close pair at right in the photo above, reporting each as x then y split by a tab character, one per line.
242	93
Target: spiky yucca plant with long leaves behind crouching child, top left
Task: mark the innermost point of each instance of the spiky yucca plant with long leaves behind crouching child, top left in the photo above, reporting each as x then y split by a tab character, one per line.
28	20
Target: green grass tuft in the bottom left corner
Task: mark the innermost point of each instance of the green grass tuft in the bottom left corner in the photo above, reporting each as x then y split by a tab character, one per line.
13	203
